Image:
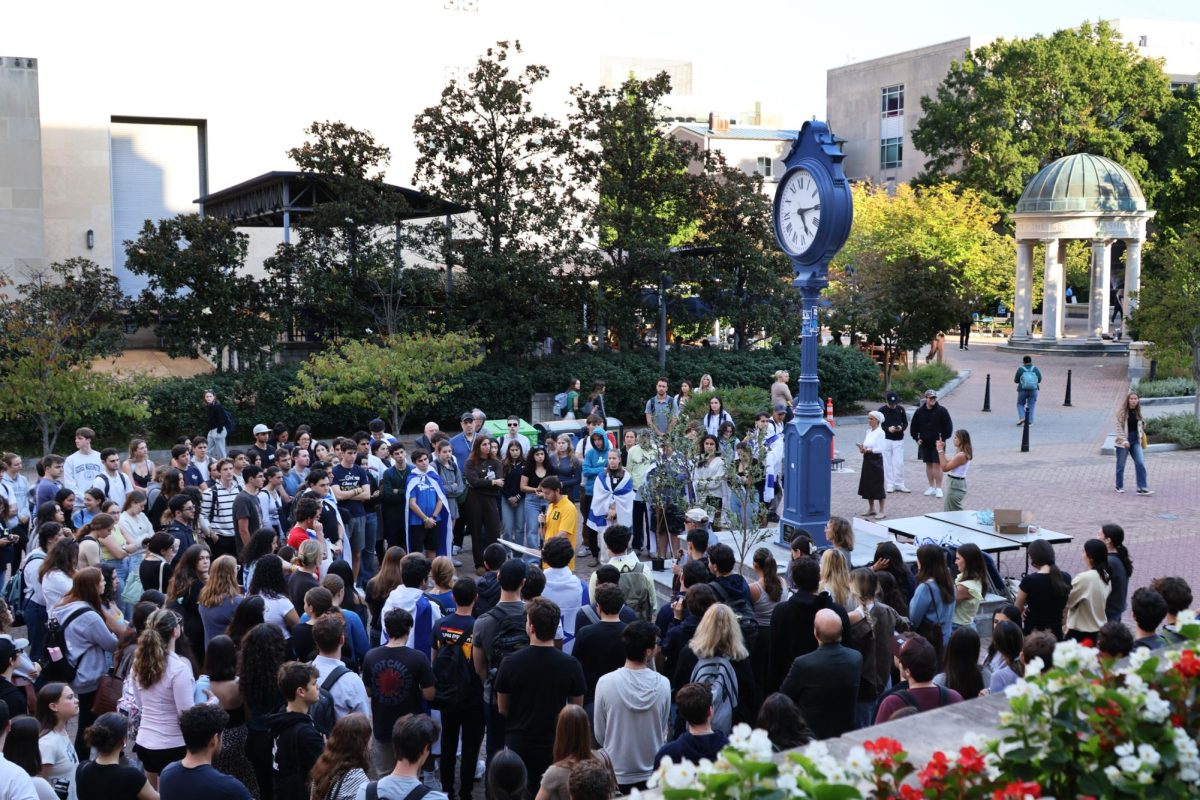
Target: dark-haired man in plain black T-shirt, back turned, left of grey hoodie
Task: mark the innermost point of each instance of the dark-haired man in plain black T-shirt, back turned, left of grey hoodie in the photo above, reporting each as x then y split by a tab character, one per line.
532	688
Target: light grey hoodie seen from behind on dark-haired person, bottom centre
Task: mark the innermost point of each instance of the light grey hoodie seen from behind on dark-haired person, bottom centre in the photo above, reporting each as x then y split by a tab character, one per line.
631	720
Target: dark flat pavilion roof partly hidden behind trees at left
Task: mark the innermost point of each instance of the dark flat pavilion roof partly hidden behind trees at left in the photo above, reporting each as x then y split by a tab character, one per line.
261	202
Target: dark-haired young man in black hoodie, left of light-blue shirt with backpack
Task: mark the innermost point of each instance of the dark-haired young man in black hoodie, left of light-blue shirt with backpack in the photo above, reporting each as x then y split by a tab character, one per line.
297	741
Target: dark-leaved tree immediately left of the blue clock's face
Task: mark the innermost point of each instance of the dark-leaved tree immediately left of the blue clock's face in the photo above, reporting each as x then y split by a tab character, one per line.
747	280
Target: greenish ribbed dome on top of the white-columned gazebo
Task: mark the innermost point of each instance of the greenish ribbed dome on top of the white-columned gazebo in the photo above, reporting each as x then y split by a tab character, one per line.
1083	183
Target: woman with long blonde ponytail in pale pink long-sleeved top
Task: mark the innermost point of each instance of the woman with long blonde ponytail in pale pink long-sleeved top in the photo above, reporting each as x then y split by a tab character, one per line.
165	688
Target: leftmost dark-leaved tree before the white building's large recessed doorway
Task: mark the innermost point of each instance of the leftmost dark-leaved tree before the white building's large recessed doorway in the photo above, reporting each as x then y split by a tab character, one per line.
200	298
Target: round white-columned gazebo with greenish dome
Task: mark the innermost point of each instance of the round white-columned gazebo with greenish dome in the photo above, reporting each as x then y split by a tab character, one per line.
1077	197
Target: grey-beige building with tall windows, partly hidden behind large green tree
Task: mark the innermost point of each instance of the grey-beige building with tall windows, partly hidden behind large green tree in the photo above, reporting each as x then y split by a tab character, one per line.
875	105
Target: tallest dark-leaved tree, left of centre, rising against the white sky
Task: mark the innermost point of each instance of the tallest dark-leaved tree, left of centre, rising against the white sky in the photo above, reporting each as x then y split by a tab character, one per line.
482	146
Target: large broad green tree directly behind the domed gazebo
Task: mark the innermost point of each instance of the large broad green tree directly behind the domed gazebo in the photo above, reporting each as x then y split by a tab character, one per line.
1011	107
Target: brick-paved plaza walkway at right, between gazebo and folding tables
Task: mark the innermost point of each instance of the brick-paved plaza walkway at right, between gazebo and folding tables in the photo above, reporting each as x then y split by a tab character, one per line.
1064	480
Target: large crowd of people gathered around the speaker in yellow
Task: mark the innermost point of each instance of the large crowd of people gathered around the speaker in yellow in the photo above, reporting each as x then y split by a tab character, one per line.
291	621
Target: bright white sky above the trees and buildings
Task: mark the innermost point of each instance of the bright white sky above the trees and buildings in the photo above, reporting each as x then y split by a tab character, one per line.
261	71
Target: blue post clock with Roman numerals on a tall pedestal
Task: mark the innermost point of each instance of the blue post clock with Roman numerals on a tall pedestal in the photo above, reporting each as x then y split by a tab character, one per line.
813	214
